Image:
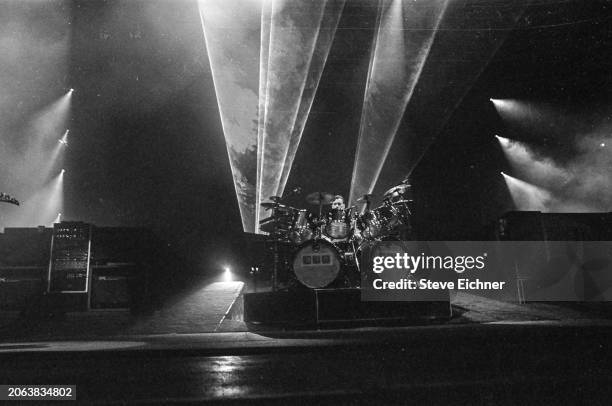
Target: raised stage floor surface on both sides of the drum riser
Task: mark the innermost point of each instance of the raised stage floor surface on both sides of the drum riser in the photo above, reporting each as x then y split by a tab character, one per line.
206	308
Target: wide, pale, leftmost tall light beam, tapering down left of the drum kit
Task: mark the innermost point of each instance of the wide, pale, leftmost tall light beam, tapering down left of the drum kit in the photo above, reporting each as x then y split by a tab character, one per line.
233	54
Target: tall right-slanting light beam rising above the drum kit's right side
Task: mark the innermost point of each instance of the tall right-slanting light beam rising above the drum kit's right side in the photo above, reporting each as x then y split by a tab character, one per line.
398	59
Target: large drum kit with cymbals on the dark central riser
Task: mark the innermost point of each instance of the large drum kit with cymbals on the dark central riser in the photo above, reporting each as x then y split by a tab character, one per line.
325	245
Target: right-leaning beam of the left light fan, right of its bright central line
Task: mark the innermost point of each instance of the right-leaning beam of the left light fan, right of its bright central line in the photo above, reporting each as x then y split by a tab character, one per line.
294	41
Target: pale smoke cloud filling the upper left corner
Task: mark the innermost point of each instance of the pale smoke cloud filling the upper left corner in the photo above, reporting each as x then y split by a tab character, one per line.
34	43
